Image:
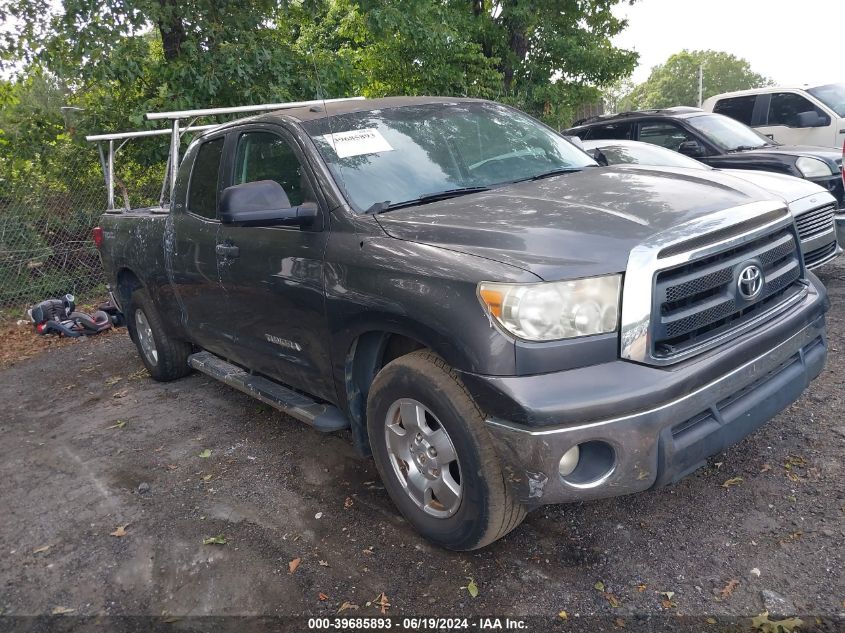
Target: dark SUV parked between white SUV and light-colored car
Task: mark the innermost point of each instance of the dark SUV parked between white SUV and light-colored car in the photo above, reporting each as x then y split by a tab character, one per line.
718	141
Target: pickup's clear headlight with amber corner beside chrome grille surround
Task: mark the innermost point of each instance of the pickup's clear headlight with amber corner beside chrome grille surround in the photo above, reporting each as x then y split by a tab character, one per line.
549	311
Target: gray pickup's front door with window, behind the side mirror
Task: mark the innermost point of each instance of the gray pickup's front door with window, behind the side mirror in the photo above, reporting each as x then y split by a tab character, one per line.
273	276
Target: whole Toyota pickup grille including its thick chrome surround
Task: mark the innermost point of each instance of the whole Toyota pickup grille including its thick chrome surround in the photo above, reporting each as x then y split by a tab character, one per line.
681	295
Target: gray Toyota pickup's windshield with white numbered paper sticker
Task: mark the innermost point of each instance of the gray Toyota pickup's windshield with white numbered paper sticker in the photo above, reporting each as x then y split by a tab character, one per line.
398	156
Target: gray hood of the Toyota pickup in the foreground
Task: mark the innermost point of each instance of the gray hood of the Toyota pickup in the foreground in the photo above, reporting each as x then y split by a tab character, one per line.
573	225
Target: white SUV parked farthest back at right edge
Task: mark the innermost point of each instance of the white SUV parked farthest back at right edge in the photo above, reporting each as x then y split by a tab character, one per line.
812	115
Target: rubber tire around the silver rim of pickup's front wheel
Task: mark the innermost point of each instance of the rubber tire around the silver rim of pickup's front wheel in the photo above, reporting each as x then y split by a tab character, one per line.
488	509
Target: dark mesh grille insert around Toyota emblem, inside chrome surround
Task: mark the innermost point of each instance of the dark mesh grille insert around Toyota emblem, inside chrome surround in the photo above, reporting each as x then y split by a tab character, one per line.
700	300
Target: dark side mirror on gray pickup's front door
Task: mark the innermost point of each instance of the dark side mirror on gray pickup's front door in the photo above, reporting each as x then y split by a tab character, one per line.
263	203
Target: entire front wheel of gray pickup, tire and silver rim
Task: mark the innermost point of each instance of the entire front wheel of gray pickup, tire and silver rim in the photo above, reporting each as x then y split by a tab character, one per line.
421	389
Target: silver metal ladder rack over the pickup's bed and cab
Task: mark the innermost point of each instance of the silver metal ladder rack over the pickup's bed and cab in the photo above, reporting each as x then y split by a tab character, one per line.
176	132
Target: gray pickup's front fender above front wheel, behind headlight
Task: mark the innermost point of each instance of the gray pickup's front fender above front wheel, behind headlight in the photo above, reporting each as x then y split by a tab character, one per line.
423	292
